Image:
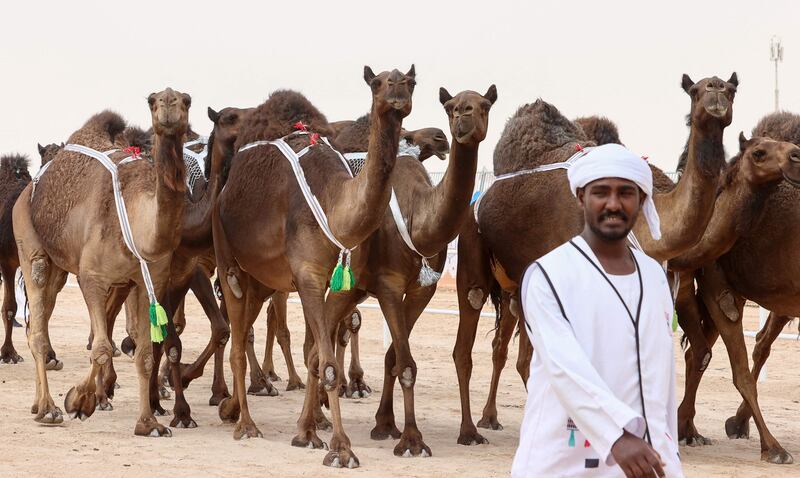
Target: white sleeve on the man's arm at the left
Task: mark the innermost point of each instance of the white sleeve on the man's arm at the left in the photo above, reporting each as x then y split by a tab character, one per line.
599	415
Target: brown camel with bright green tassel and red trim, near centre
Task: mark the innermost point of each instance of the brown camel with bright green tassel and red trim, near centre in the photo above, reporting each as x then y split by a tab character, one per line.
266	238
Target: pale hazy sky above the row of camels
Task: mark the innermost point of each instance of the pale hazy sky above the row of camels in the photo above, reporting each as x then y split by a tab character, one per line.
61	62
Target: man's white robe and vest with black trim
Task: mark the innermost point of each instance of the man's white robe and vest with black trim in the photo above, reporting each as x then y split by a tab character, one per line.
584	384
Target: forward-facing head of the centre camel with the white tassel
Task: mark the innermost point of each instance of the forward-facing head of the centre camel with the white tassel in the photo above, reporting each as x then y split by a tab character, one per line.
468	113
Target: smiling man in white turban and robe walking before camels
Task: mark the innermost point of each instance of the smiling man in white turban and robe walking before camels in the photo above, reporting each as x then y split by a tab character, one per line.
601	392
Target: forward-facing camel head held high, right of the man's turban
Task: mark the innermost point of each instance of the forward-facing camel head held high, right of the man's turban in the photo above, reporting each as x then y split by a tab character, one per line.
712	99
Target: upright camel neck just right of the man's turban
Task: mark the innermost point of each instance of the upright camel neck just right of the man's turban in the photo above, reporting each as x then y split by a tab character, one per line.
686	210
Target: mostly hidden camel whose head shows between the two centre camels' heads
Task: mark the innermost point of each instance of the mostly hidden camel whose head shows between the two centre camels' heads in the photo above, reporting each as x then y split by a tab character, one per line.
431	142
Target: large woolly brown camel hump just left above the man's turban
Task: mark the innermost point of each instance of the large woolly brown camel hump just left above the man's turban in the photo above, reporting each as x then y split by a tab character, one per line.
535	135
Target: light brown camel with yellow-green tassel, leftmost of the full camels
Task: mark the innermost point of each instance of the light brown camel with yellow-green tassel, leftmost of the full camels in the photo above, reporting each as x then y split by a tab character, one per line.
70	225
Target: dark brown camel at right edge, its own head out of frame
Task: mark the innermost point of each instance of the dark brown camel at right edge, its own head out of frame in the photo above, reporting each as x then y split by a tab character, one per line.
739	245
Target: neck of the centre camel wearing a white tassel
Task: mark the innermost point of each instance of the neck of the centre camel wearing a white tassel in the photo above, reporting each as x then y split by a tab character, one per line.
438	218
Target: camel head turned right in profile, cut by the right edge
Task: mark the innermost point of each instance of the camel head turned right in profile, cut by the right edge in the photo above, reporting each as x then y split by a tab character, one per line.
764	160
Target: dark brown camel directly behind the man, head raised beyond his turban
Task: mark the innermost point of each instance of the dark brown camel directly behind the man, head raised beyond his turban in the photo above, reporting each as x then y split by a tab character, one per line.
492	258
